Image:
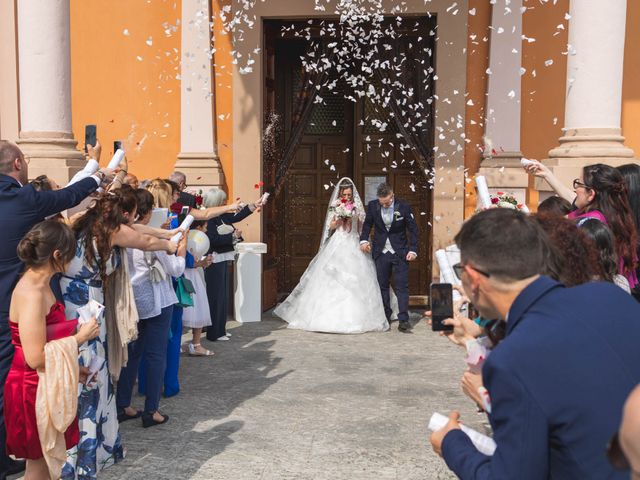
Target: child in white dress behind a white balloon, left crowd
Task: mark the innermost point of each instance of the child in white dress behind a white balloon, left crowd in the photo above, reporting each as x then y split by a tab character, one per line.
198	316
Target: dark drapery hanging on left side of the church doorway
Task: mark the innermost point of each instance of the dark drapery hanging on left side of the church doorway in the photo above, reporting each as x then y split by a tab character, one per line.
312	81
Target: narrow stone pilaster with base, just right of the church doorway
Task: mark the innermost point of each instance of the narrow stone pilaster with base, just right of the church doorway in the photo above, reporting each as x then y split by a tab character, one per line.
501	163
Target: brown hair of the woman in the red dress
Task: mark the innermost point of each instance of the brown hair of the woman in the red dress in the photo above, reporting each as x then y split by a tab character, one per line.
37	247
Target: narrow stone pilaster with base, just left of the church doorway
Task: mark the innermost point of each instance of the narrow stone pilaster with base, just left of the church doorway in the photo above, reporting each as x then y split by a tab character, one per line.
198	158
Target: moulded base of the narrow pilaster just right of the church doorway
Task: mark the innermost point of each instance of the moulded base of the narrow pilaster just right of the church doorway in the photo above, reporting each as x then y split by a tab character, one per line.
504	172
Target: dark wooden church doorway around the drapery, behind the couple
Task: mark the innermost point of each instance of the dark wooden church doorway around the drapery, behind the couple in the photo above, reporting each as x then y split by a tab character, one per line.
342	137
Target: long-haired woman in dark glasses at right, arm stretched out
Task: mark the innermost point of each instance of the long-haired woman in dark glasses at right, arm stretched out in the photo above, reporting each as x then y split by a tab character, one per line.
601	193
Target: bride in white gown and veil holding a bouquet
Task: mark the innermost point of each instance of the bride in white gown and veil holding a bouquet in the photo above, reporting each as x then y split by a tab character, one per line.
339	291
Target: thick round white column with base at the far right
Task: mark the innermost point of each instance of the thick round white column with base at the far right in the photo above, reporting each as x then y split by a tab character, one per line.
592	118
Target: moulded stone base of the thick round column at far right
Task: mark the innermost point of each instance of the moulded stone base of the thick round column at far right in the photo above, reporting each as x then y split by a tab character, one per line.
581	147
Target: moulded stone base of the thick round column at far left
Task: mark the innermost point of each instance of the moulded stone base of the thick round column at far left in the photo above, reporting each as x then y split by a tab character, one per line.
53	154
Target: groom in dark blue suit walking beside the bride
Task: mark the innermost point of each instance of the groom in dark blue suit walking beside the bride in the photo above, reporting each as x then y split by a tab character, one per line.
392	251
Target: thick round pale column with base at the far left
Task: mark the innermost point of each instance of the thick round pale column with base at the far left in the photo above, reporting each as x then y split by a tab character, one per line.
45	136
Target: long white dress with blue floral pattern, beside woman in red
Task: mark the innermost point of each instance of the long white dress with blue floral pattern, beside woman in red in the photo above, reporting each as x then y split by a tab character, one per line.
100	444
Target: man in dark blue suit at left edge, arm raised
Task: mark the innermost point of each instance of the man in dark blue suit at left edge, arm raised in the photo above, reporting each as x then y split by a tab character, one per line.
21	207
